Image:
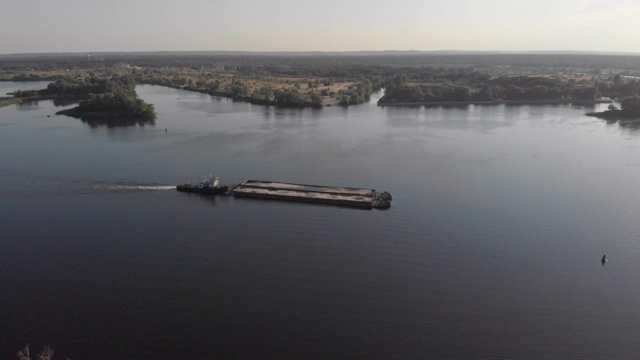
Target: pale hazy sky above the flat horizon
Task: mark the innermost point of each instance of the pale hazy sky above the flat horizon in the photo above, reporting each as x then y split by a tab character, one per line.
323	25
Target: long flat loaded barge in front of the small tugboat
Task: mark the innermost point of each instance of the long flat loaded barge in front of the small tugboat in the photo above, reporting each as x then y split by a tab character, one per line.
345	196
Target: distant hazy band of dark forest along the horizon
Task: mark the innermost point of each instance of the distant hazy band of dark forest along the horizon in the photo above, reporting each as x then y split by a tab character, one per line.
327	64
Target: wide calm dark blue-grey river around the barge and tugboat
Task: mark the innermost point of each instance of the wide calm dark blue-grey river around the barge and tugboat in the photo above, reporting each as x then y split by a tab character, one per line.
491	249
